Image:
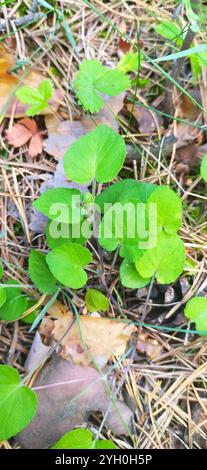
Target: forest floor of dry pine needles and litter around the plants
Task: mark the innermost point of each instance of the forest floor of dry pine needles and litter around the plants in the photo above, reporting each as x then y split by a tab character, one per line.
164	130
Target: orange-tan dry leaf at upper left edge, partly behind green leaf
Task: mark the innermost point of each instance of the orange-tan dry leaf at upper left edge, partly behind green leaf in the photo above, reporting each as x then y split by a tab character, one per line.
9	105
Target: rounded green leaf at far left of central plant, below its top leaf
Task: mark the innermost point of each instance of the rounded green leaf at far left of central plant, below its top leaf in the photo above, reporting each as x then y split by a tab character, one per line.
60	204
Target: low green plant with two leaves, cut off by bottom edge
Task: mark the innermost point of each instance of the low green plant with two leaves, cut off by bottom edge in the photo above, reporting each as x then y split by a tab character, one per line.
82	439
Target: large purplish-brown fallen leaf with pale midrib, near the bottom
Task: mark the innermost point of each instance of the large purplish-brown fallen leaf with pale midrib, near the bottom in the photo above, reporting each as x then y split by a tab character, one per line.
67	395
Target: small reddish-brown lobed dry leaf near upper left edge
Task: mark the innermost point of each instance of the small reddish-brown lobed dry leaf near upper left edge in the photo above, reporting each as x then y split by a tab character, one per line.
24	131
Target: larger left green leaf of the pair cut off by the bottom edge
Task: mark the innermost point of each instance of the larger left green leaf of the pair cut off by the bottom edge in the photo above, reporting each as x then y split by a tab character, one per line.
76	439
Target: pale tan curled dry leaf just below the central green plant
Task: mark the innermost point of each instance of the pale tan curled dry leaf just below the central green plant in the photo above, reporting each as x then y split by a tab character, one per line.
90	338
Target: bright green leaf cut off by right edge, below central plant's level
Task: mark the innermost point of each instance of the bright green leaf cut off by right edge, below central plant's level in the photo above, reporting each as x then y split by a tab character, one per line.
196	310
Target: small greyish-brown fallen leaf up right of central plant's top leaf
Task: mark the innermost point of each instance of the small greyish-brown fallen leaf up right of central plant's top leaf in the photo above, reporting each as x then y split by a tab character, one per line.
144	118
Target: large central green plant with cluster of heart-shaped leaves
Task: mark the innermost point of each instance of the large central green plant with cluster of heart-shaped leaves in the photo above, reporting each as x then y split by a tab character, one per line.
157	252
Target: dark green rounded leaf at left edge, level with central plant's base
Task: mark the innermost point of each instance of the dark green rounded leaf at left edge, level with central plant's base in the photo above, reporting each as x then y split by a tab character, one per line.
15	304
